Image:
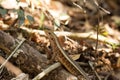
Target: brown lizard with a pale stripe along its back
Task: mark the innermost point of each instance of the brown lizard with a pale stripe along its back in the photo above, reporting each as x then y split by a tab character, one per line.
63	57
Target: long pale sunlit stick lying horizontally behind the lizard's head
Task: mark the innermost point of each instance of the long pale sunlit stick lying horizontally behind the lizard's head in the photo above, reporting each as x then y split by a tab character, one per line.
88	35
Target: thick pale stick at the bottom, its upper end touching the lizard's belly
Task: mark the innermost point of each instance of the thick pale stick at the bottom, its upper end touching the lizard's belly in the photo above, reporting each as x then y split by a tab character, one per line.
46	71
